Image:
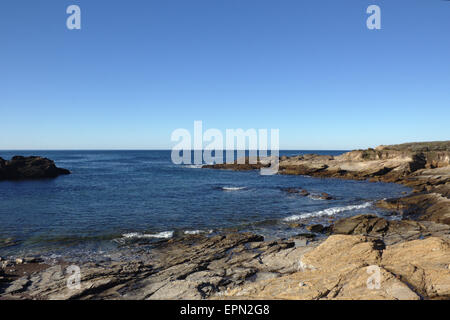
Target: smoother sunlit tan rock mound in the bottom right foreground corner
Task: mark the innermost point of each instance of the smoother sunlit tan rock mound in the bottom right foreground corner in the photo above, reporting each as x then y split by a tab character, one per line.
356	267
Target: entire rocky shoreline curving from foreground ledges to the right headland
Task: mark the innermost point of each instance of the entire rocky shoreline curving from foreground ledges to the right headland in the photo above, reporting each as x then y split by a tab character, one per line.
411	255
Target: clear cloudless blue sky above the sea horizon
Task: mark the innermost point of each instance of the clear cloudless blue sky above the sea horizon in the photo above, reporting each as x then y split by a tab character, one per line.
139	69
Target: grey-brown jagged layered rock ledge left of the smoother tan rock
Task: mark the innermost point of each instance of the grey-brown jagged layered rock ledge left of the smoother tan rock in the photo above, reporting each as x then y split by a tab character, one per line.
192	267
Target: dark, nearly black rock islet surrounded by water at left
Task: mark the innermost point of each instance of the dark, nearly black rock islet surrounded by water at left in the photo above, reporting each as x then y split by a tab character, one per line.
19	168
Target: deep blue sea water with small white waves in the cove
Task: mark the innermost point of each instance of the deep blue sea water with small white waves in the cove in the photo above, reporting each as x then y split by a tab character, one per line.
114	197
